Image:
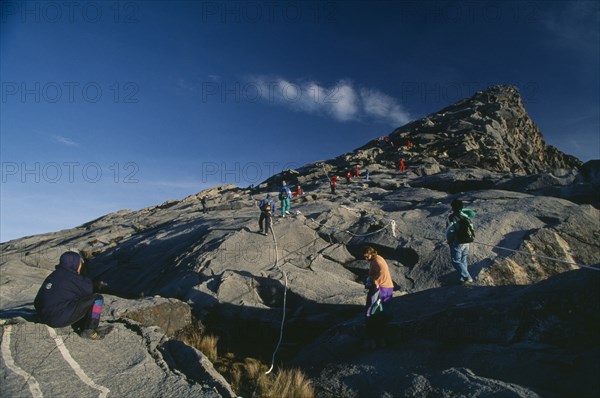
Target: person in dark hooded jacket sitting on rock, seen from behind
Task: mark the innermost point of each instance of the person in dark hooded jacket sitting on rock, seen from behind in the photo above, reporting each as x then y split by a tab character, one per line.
67	298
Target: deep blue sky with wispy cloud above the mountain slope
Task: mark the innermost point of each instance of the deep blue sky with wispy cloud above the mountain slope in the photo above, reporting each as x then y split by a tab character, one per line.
122	105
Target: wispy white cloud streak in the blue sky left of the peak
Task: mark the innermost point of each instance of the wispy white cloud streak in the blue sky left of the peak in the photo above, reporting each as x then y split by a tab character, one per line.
341	101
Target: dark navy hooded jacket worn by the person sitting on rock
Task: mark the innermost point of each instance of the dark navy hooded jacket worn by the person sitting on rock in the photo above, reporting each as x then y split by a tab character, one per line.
58	296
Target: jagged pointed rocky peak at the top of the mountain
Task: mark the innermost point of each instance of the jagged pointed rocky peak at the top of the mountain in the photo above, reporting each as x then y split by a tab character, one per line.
490	130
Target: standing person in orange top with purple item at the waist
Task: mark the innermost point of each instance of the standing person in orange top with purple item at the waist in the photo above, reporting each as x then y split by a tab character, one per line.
380	289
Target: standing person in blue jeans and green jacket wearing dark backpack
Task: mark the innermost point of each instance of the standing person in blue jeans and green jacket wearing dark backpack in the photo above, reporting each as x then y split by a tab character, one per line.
459	233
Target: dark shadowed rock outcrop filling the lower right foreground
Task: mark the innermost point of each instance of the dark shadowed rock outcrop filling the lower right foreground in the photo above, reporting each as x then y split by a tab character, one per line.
526	341
